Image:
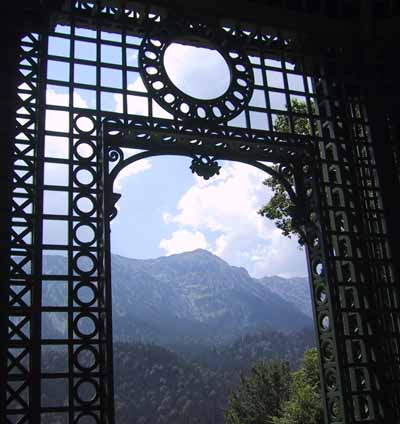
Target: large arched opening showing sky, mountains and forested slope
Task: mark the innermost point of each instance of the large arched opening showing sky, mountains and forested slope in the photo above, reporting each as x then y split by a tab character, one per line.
205	302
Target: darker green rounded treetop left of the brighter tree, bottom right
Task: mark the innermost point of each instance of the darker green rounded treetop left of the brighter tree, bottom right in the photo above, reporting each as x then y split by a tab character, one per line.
261	395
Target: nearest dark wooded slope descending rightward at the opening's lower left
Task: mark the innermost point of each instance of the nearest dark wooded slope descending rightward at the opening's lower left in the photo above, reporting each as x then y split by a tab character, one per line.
154	385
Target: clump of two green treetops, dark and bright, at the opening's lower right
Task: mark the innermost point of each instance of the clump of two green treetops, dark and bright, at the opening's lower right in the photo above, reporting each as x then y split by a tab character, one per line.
271	394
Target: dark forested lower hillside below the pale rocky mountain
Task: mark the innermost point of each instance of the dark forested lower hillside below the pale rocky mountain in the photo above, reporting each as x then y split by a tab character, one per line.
154	385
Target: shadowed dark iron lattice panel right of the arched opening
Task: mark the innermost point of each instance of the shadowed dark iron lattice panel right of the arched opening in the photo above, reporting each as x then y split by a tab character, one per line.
357	258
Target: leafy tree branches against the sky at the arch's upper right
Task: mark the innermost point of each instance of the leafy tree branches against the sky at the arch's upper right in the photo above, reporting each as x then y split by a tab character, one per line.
280	208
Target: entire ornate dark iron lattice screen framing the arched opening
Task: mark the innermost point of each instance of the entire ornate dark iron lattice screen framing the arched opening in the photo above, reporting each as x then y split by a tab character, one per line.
97	83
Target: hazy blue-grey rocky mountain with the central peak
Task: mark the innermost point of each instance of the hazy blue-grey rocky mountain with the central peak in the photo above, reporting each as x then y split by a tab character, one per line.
192	297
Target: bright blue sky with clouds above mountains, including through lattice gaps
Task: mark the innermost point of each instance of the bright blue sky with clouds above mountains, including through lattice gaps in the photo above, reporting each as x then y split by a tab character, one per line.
164	208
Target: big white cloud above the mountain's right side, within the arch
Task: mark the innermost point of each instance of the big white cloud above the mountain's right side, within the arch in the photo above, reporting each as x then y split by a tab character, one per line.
226	208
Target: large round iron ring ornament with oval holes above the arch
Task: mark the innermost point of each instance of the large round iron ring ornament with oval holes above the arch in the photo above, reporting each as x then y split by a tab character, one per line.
182	105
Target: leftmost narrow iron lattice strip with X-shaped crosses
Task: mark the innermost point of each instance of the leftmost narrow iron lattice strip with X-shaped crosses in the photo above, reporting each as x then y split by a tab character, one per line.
23	354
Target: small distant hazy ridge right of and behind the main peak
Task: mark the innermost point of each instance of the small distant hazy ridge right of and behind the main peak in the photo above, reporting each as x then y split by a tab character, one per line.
294	290
